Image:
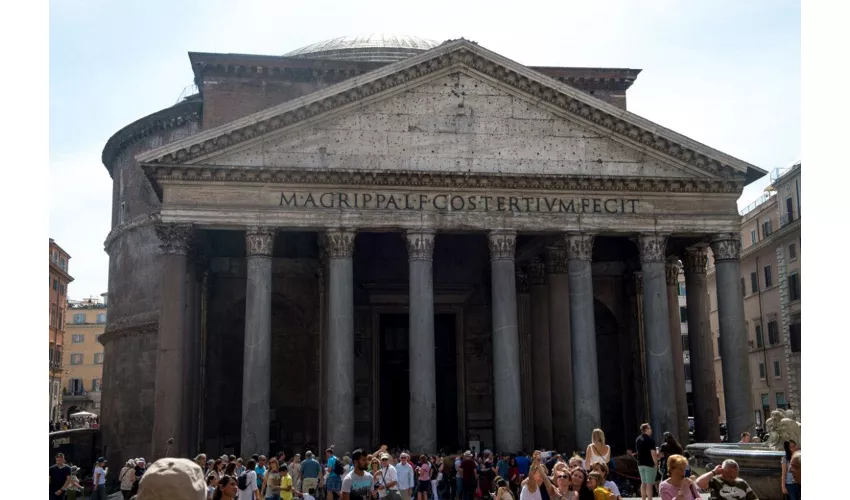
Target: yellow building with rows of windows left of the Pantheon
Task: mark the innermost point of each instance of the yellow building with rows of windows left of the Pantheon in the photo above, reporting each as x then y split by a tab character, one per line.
83	355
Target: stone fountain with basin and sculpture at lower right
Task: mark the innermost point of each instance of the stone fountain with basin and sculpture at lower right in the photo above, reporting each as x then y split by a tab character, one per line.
760	464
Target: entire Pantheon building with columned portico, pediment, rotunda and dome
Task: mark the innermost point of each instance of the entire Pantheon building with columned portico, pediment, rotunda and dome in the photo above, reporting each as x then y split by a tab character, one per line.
389	240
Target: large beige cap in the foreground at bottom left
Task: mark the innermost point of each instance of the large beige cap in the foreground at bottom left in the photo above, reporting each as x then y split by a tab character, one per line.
173	479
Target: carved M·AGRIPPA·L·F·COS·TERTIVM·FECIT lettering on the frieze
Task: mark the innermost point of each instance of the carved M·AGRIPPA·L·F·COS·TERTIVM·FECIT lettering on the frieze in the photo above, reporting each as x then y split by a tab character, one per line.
455	202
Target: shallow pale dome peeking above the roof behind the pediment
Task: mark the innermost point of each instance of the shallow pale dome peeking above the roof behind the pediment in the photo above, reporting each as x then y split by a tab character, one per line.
373	47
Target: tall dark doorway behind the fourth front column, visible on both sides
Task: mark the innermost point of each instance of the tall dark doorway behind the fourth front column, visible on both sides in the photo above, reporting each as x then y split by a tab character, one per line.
395	375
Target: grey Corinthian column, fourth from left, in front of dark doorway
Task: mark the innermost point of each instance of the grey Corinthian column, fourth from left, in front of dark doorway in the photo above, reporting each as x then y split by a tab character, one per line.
423	372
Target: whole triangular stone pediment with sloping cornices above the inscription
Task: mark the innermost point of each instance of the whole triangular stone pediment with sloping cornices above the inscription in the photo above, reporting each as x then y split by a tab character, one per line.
455	108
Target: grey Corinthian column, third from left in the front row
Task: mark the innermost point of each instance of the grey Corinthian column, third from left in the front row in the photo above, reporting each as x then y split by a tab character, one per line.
340	348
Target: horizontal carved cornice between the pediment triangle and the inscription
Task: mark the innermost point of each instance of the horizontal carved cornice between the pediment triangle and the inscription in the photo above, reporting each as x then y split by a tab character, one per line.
160	174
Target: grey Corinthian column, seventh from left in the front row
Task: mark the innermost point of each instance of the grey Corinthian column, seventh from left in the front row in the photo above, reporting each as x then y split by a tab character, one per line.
659	362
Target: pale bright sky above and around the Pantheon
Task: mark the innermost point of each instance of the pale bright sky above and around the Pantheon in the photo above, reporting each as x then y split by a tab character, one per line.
725	73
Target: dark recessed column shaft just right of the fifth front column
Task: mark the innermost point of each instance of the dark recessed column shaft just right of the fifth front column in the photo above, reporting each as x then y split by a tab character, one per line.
540	367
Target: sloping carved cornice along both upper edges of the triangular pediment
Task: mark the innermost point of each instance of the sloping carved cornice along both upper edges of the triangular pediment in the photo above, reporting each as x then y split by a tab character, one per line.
457	55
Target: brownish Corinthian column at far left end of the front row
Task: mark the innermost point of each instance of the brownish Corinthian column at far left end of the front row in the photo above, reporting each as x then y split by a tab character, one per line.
171	355
